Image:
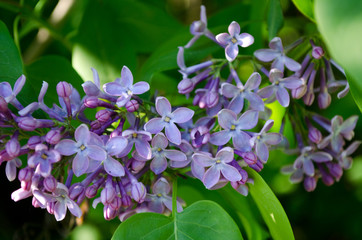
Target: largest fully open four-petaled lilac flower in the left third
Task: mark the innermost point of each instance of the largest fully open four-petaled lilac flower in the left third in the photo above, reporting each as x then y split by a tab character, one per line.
84	150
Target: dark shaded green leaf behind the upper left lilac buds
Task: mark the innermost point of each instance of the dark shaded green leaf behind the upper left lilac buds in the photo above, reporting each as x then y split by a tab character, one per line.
52	69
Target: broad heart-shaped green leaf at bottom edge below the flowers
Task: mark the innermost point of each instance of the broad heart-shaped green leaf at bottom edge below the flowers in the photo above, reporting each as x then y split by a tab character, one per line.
202	220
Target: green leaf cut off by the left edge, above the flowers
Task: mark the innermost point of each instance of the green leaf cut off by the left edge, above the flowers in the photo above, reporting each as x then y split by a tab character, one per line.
11	65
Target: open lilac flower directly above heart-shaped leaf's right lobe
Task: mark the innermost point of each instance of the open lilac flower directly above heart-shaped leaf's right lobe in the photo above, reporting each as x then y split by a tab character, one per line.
218	164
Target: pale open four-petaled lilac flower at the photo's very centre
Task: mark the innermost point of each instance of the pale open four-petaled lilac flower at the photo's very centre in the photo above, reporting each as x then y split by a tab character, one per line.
168	120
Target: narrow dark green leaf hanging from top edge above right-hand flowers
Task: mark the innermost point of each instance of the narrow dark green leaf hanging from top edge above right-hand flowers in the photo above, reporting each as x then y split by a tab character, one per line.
275	18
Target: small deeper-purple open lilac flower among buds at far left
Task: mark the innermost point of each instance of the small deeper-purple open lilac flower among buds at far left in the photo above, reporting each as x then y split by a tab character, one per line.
43	158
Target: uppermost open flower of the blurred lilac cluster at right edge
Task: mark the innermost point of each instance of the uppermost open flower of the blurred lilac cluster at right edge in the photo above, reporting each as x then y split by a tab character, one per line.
338	131
